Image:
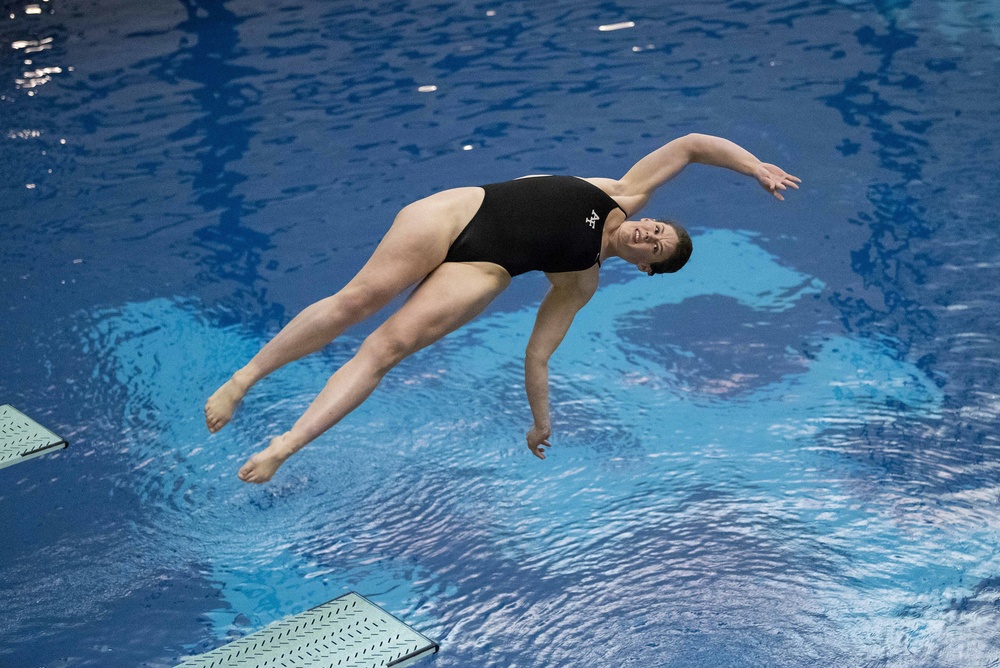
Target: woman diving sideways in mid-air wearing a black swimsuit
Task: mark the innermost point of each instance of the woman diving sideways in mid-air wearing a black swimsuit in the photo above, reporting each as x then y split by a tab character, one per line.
461	247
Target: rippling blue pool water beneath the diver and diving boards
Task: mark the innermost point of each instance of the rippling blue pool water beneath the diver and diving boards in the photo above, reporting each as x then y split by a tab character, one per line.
784	455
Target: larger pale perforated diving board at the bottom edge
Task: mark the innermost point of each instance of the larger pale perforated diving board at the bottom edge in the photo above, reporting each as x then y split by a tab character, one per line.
347	632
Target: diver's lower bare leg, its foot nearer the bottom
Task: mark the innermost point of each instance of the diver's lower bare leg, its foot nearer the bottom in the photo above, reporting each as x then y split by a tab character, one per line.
450	296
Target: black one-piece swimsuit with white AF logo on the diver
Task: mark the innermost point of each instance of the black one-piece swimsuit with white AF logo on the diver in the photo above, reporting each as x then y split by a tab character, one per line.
546	223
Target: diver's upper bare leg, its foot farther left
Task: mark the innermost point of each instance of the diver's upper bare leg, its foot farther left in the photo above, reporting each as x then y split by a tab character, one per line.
417	242
